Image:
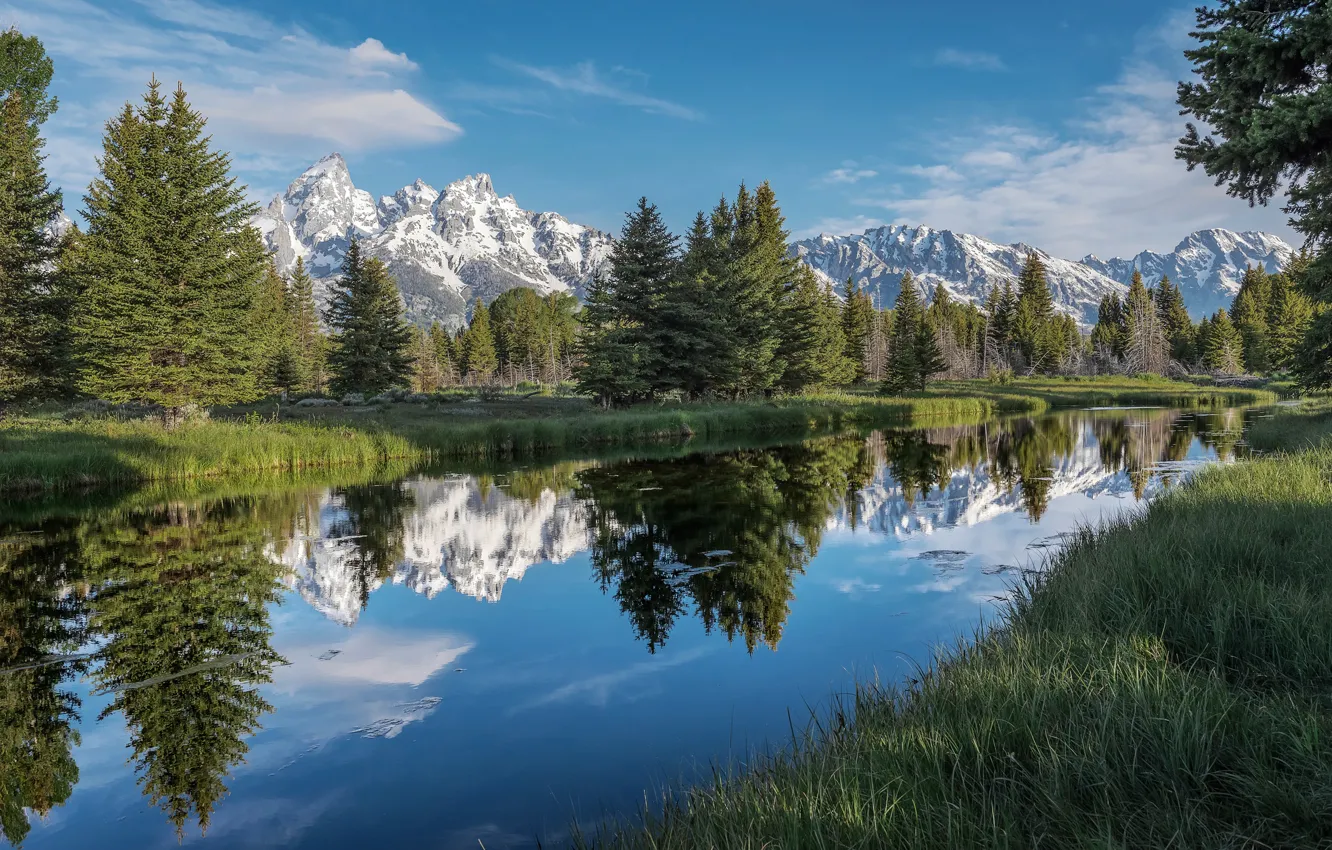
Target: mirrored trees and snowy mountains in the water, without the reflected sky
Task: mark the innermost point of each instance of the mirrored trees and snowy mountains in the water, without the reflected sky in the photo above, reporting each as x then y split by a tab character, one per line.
166	616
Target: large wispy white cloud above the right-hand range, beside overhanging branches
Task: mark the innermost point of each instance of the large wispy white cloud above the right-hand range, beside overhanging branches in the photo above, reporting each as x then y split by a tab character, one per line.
1108	183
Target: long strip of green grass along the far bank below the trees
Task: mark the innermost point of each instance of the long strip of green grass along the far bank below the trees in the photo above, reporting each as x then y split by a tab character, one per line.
47	450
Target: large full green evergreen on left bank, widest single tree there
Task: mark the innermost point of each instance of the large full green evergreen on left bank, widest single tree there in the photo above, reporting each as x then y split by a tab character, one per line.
170	267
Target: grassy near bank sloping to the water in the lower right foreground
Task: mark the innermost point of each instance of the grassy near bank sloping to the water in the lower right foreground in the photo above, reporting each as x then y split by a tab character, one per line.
1166	684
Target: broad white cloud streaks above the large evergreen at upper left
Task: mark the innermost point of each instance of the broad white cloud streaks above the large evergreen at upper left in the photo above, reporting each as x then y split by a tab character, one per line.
262	86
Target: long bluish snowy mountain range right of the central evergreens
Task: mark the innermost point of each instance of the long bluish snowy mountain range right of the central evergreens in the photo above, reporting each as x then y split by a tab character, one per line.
1207	266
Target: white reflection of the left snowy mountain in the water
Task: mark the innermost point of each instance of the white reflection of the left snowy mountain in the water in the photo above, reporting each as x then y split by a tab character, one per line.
458	534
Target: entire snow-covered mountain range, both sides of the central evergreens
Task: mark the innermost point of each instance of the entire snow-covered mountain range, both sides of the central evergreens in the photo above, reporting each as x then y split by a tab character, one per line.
450	247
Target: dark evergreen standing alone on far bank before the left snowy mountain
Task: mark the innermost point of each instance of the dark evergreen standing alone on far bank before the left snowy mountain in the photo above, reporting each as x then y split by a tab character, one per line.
371	340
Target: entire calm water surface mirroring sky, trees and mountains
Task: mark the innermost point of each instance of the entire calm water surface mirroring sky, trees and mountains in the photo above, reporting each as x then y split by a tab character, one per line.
463	659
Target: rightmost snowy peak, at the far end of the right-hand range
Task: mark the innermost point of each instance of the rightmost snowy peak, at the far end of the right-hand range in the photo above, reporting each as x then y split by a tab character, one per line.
1207	266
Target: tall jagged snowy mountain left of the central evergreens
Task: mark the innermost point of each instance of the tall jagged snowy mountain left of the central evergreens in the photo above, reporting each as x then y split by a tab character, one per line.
444	248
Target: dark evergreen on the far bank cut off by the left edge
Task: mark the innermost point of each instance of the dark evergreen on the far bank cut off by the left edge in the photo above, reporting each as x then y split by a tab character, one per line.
34	307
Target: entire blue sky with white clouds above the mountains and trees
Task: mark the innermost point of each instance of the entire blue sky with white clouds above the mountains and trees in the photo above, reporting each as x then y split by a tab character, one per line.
1042	122
